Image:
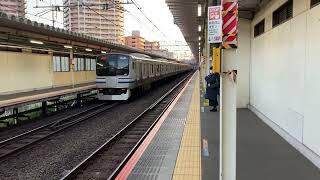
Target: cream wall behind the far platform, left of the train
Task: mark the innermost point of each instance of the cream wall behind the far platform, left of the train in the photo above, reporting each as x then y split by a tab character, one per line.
23	71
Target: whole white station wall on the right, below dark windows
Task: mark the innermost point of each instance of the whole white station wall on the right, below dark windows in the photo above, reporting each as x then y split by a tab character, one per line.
284	75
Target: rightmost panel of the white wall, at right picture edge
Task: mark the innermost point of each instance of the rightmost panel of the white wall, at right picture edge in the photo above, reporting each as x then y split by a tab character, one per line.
311	133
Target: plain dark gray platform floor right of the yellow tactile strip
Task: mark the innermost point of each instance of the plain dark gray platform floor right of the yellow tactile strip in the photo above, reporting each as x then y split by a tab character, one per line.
261	153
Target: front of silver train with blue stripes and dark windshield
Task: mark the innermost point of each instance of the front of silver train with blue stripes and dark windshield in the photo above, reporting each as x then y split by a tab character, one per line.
114	78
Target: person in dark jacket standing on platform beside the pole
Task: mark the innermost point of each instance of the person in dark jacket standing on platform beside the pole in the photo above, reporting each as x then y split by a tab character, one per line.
212	89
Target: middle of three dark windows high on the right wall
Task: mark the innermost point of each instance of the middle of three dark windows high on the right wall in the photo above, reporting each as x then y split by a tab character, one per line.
283	13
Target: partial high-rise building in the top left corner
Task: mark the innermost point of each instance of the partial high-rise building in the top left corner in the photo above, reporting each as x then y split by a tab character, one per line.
13	7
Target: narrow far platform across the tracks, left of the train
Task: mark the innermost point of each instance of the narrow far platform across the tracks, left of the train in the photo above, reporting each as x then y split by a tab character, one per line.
17	99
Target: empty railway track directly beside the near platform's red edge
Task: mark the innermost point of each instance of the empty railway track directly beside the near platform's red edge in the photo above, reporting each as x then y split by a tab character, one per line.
106	161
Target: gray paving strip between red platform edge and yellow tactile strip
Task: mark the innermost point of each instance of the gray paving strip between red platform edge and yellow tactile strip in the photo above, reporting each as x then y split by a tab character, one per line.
158	160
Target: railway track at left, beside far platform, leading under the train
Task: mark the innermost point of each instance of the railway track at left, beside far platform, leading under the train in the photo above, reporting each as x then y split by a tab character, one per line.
20	142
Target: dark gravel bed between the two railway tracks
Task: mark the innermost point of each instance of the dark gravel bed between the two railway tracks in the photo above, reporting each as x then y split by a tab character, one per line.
52	158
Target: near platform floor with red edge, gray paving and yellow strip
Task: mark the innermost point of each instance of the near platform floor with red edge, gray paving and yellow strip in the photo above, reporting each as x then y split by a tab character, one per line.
185	145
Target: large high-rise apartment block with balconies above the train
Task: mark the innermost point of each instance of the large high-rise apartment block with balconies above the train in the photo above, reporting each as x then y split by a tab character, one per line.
98	18
